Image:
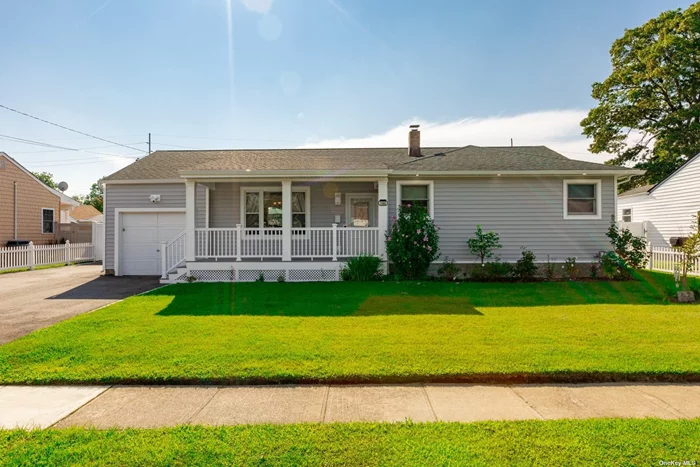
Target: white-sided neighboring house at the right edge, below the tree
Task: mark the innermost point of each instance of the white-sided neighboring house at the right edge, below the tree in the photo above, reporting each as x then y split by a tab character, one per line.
666	211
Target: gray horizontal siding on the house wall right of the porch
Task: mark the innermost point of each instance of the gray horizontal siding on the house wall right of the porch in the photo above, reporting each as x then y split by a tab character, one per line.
526	212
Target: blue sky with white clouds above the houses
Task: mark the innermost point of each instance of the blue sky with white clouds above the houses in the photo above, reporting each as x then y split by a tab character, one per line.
289	73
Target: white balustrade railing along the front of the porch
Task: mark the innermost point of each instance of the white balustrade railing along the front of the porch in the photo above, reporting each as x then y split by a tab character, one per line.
309	242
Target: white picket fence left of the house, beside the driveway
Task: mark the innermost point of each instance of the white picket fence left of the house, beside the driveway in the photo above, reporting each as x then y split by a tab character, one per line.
30	256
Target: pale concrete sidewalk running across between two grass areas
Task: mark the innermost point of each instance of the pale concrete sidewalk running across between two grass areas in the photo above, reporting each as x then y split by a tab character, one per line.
147	407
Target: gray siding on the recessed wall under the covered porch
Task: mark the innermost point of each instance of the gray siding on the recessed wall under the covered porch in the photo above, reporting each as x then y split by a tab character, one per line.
225	201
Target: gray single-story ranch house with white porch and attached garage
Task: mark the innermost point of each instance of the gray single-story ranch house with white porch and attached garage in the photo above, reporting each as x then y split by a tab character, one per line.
299	213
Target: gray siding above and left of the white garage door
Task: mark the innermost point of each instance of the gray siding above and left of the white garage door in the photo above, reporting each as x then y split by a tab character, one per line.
136	196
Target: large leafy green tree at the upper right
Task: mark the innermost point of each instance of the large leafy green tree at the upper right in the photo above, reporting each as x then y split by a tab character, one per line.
648	111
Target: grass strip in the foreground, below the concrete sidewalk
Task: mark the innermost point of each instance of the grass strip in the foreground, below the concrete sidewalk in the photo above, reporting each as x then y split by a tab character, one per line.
562	442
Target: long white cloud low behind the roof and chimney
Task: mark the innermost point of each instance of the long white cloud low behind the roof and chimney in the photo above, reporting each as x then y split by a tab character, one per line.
559	130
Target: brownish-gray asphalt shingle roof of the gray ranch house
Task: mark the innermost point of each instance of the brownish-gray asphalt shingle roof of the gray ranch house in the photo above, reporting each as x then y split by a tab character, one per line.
168	164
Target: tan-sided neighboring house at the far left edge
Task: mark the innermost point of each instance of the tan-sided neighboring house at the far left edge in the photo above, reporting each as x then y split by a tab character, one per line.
29	210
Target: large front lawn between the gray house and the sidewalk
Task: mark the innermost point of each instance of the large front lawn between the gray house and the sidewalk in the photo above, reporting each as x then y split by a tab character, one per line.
370	332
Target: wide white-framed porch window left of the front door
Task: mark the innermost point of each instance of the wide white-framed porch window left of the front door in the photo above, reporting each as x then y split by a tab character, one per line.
262	207
